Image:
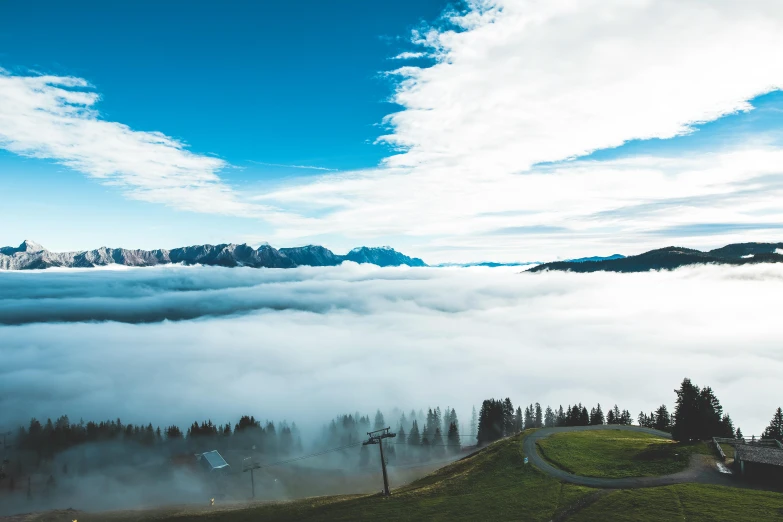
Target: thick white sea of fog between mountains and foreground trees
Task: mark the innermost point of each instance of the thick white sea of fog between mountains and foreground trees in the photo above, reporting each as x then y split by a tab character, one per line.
175	344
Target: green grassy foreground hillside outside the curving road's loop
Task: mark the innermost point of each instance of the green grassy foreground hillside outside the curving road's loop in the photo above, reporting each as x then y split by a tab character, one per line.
493	484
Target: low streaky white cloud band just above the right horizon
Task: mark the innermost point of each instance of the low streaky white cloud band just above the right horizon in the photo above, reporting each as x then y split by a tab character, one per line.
624	205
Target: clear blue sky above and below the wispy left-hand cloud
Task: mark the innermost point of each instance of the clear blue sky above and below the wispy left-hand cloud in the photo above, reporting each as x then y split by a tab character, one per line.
259	84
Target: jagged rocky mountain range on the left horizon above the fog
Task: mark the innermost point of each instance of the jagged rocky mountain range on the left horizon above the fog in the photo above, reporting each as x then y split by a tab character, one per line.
30	255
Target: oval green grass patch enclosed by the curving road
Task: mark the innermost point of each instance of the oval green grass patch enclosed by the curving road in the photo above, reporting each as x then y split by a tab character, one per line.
616	454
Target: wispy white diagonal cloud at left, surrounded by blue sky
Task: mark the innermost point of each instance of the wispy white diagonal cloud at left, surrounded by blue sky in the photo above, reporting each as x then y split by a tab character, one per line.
54	117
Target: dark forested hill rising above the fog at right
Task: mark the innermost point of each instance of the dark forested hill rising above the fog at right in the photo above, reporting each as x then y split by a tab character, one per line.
670	258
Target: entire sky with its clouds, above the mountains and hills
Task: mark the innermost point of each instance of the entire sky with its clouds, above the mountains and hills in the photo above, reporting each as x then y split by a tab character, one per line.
502	142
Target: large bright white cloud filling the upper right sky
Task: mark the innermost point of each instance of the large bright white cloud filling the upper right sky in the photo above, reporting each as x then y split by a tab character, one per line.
528	81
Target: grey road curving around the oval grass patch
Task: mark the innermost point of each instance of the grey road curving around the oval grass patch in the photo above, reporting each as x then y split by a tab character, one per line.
702	468
